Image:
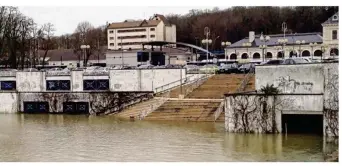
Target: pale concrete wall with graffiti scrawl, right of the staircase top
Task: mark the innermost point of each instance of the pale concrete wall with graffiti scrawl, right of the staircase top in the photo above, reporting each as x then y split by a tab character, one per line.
307	78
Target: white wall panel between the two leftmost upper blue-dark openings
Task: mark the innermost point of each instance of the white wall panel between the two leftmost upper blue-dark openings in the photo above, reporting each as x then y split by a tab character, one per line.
31	81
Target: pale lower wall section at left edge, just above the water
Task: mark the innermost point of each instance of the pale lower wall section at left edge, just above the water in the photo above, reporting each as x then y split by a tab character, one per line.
9	102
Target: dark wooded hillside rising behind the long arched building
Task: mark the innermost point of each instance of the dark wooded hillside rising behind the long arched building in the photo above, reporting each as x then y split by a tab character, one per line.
233	24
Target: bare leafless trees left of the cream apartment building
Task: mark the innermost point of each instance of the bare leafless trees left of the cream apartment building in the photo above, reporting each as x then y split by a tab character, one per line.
22	40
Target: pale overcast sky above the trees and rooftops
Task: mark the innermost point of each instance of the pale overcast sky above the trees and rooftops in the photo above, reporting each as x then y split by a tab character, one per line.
66	19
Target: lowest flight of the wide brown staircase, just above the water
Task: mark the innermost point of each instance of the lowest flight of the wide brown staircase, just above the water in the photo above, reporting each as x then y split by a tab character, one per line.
188	110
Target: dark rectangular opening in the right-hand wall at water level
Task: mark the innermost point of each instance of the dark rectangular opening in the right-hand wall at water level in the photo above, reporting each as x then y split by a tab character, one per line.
302	124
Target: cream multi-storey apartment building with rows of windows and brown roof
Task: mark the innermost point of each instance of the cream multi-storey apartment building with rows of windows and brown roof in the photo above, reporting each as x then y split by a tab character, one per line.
130	34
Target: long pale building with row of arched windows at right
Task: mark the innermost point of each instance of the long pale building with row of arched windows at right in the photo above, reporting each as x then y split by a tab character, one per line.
314	45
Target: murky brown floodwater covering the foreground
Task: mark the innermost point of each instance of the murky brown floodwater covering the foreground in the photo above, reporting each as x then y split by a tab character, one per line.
81	138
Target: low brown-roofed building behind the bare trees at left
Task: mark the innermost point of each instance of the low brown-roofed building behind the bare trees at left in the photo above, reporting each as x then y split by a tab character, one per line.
69	58
